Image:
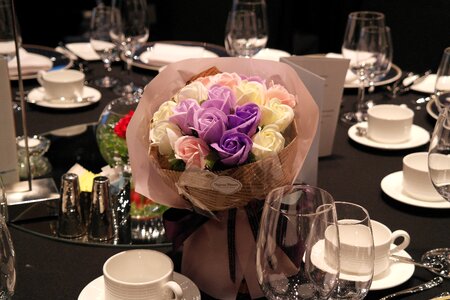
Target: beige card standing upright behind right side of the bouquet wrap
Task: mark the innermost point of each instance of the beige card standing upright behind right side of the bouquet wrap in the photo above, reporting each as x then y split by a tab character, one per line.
333	71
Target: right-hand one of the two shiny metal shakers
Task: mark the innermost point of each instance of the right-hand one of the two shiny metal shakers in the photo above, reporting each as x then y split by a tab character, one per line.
101	225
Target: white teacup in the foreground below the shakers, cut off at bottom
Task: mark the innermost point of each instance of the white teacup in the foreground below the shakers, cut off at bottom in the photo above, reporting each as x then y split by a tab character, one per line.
140	274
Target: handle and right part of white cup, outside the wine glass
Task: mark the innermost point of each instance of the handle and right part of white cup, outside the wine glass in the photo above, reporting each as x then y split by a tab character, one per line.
385	245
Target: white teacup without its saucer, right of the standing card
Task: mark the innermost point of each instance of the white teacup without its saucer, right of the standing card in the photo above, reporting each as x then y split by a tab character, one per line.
389	123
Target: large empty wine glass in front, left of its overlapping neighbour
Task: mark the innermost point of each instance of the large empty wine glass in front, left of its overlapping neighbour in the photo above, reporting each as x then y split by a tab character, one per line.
290	245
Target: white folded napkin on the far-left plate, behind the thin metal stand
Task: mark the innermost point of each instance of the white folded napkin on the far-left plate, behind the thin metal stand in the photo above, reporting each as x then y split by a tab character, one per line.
30	62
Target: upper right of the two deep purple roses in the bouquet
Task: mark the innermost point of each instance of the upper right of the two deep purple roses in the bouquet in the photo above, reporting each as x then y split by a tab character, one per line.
246	119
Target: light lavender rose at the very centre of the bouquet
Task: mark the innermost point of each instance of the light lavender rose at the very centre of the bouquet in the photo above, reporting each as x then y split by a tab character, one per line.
210	124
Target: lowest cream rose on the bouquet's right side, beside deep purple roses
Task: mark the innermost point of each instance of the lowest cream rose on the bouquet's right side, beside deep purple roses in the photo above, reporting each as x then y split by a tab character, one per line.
268	141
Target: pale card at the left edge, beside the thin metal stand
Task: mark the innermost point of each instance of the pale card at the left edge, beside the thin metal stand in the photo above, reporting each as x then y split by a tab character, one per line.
8	158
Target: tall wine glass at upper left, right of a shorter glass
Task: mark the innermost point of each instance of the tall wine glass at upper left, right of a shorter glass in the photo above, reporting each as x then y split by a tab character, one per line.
130	31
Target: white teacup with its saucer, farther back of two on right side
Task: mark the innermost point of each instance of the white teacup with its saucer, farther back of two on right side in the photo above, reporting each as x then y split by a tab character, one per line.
389	127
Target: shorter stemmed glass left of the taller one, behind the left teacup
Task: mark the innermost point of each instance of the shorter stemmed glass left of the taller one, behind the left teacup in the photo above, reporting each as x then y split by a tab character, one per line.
101	42
